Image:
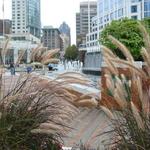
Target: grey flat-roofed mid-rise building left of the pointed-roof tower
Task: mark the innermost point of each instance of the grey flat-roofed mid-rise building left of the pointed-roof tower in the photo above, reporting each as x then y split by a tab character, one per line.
51	38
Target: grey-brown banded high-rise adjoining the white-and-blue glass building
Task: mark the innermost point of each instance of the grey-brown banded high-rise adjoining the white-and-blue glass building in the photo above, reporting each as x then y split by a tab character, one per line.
82	20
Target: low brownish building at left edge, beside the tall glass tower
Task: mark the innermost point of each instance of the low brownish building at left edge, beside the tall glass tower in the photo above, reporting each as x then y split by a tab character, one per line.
7	26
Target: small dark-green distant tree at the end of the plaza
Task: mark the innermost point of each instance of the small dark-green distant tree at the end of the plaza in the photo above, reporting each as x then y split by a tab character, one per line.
71	53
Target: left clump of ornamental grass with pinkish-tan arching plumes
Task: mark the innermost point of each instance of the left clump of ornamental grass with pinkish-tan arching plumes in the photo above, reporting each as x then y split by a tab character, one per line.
35	113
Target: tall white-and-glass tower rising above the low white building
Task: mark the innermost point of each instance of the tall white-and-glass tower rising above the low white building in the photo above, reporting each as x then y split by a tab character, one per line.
26	17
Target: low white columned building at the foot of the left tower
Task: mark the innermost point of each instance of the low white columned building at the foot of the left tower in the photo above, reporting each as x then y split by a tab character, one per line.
17	44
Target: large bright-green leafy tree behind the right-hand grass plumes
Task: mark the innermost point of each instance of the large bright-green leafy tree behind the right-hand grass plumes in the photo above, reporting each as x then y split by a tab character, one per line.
127	32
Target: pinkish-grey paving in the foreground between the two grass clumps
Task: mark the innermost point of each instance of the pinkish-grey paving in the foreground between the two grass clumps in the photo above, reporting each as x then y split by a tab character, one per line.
87	126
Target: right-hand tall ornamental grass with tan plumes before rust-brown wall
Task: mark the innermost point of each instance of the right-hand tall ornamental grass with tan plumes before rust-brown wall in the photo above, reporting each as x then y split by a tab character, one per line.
130	123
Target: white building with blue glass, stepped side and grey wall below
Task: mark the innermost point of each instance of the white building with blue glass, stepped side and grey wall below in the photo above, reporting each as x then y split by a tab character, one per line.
108	10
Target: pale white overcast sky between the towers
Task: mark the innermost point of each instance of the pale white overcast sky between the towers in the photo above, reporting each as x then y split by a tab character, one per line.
53	12
